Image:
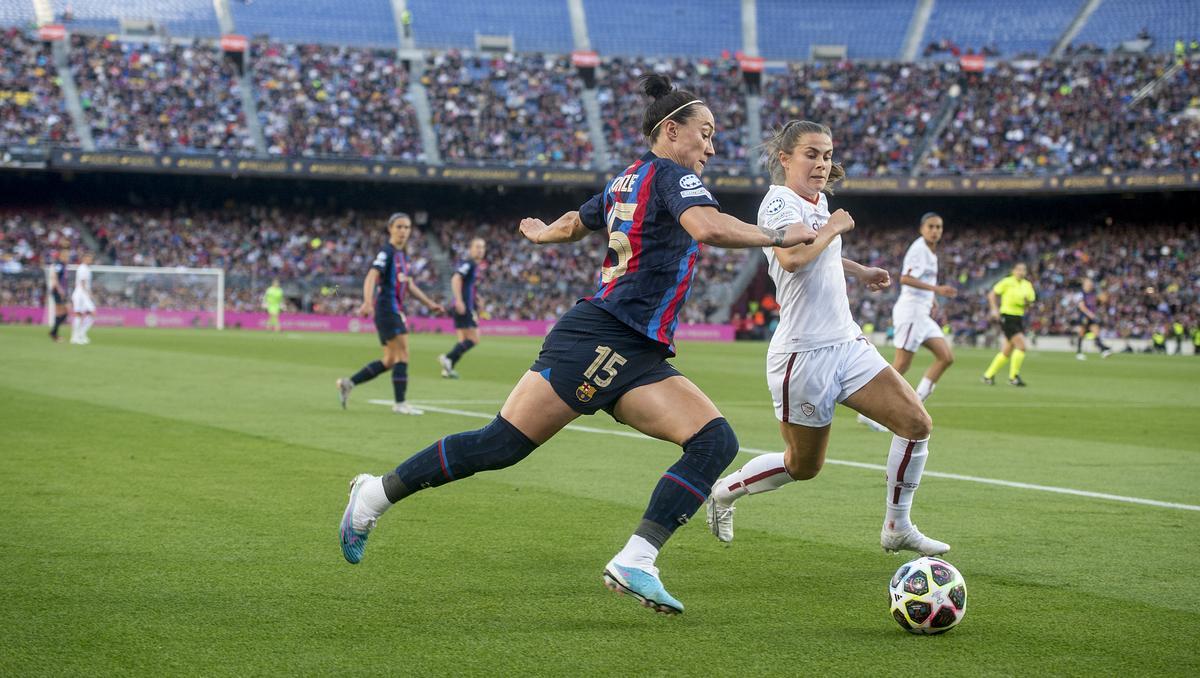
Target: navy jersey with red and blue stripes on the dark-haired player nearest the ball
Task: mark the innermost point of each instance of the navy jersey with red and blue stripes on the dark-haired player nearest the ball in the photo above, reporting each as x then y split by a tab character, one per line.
651	260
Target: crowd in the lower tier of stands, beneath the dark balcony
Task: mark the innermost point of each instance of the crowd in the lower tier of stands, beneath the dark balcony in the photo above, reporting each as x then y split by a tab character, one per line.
1148	274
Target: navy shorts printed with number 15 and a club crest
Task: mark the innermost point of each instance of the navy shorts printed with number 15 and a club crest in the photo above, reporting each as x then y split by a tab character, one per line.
592	359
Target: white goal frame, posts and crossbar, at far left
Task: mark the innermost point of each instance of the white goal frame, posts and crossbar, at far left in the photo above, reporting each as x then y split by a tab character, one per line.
149	289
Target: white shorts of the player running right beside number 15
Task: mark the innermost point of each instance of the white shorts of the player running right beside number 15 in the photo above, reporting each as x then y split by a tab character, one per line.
808	386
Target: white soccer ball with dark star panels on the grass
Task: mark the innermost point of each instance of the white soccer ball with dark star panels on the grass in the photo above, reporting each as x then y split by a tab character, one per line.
928	596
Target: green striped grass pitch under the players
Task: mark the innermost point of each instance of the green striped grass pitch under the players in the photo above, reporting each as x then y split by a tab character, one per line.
171	500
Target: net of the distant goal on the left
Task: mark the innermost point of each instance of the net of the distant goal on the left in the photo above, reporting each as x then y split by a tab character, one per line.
151	296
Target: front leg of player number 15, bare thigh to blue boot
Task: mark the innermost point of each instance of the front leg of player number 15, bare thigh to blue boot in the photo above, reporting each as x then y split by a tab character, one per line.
676	411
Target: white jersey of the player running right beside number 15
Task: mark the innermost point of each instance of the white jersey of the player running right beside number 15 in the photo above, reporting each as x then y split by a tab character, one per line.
814	308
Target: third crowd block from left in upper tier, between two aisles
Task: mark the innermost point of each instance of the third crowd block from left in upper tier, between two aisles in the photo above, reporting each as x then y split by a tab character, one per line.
319	100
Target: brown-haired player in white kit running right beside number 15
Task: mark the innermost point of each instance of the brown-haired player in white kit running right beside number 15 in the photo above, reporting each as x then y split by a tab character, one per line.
819	356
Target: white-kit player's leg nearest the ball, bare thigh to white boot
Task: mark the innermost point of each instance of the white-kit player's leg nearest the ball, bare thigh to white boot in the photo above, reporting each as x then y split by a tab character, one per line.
891	401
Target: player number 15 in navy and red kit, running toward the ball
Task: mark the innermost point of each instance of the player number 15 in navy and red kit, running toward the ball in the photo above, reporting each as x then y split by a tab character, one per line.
610	351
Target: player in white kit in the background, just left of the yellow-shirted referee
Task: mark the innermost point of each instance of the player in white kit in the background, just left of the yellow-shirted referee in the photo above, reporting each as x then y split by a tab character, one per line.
913	314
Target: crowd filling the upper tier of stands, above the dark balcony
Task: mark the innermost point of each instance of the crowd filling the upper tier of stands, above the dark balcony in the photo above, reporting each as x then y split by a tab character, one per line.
1027	117
